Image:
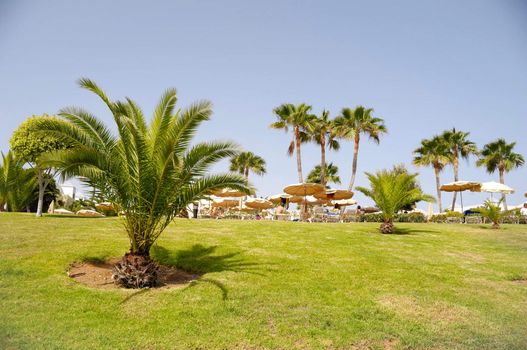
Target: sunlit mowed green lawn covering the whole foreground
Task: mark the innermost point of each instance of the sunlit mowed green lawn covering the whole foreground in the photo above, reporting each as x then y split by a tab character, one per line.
276	285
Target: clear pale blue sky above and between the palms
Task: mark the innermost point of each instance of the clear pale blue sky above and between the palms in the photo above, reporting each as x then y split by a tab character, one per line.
424	66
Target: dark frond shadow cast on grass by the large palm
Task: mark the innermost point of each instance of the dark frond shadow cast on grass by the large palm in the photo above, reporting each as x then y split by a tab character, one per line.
201	260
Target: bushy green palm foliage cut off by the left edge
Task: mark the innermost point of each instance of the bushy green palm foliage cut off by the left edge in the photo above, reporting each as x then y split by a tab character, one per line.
17	185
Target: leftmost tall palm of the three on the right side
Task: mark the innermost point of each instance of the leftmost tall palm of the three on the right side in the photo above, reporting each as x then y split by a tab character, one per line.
433	152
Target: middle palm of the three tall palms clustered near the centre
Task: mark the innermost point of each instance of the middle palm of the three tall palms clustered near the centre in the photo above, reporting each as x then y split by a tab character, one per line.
323	132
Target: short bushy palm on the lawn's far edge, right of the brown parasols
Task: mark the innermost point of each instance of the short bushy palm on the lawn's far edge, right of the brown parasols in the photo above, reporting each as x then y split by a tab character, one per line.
392	191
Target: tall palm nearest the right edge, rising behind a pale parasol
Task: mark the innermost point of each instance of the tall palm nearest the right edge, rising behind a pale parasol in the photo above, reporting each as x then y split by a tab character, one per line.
499	155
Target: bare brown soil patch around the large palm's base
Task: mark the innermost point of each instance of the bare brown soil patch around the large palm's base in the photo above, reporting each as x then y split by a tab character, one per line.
96	274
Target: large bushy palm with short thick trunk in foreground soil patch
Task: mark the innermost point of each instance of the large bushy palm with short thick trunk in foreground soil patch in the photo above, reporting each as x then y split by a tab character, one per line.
152	168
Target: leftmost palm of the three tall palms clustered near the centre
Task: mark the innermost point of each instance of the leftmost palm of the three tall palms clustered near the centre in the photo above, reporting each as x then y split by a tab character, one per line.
299	119
